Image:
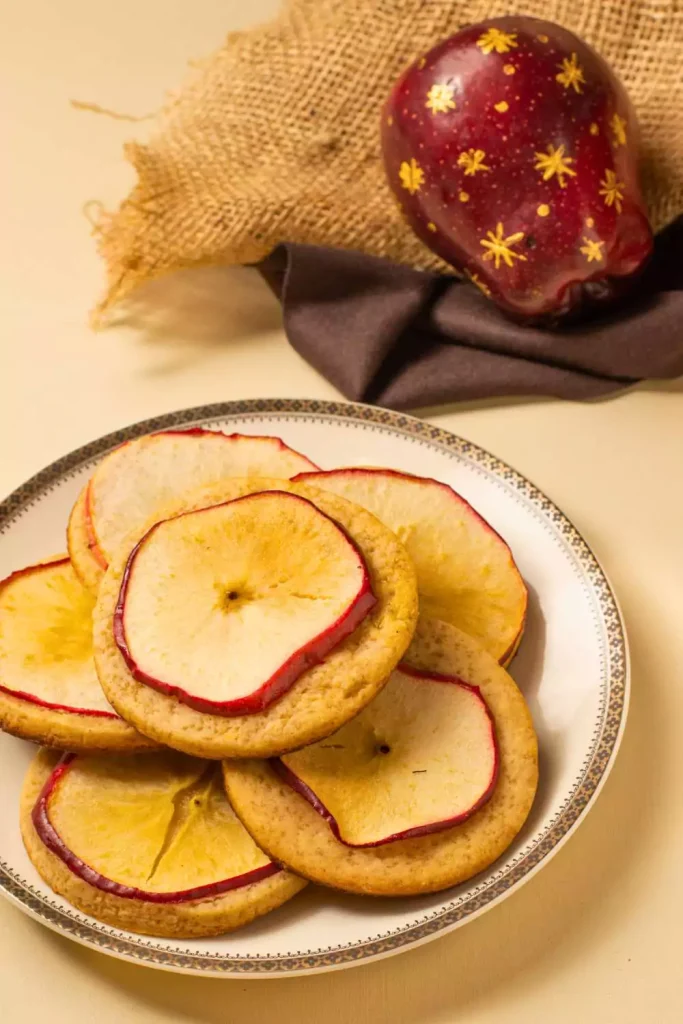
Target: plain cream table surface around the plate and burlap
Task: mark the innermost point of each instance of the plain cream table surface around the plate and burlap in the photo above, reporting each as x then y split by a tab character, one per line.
597	936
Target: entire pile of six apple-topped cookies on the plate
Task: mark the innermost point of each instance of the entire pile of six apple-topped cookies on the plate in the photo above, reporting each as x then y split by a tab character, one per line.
250	673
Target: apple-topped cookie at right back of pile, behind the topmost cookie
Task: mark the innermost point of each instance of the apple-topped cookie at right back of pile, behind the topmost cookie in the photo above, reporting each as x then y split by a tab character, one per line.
466	573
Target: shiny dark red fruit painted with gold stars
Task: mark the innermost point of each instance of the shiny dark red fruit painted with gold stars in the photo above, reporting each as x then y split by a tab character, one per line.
513	150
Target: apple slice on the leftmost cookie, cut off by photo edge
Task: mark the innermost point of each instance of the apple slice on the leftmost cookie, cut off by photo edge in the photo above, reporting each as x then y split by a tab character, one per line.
47	642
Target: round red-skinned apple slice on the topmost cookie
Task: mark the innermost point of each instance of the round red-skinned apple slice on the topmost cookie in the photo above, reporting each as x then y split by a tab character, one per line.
227	607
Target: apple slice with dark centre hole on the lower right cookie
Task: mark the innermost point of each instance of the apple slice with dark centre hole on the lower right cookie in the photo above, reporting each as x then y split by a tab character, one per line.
420	759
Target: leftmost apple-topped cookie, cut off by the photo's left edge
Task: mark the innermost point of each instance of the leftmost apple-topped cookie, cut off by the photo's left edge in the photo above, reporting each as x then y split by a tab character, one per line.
50	691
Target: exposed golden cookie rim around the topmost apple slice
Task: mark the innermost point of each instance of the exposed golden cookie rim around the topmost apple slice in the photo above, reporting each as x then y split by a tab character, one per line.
324	697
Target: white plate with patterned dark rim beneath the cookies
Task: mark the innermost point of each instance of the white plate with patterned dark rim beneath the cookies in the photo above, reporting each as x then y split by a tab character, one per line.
573	668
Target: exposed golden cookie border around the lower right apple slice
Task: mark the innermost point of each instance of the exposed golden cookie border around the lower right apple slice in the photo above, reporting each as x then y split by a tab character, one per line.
285	824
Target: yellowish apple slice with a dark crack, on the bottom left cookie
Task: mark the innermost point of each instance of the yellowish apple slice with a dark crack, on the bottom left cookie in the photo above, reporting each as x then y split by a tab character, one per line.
156	828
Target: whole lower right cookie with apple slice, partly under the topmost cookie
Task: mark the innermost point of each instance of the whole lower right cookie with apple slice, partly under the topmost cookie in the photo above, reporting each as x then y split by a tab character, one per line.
424	789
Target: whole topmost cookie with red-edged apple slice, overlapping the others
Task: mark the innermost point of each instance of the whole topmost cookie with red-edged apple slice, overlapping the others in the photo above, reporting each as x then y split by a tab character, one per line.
252	619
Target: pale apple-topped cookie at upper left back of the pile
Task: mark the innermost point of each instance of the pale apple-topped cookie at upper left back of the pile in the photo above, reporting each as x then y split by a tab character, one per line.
144	475
